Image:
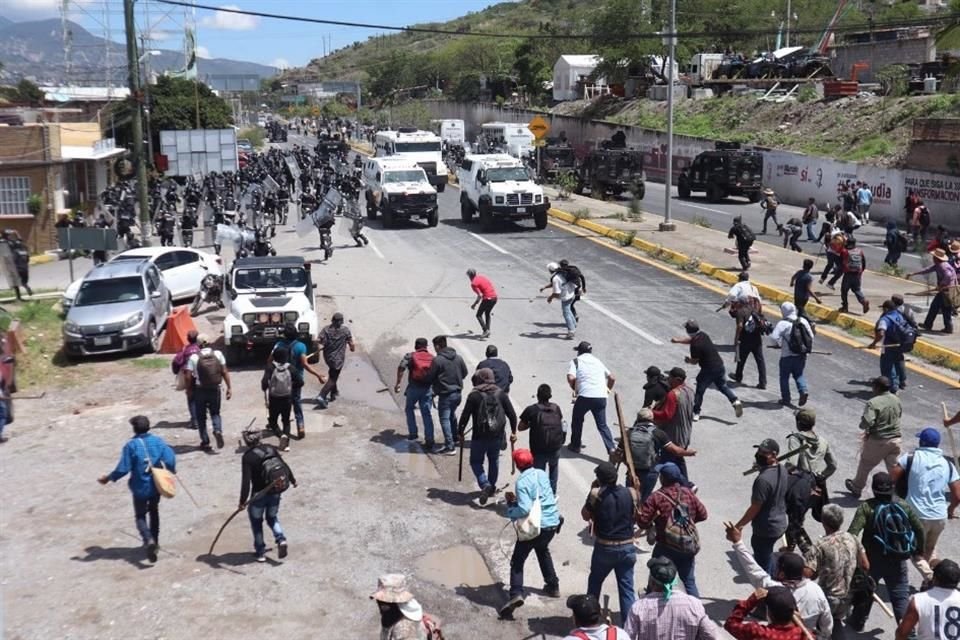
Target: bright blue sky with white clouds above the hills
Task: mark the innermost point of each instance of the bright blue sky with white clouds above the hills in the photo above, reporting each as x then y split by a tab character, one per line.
222	35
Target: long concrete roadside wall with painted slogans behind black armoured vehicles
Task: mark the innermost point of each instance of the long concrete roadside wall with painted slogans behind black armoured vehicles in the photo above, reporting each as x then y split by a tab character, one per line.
794	176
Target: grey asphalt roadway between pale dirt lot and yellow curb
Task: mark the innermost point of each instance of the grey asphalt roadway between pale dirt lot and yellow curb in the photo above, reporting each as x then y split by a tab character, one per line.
410	282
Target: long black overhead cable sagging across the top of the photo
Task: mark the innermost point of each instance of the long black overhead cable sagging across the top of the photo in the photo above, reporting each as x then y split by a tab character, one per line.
950	17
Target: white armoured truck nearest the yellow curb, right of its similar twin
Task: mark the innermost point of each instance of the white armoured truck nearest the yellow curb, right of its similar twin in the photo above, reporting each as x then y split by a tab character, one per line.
499	186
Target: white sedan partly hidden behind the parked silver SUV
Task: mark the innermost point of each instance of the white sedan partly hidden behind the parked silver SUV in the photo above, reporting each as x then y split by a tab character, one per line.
182	269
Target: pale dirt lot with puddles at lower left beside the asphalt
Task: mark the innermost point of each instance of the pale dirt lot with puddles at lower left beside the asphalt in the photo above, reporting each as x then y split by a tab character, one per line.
367	504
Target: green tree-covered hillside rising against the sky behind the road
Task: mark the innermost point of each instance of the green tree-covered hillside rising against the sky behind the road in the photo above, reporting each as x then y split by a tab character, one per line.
395	66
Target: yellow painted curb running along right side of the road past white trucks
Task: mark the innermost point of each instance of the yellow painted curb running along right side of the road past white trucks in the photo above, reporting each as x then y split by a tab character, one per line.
932	352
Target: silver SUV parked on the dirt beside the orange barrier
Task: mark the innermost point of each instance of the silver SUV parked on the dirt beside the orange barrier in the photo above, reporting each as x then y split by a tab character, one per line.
120	306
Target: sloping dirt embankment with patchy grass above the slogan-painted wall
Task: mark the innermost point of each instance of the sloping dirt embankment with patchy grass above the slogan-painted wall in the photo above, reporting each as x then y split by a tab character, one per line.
861	128
